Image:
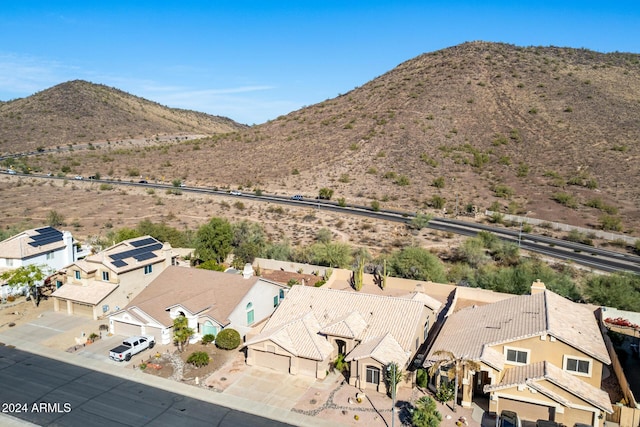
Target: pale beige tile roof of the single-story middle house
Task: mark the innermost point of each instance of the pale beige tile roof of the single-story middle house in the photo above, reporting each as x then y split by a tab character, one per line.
384	325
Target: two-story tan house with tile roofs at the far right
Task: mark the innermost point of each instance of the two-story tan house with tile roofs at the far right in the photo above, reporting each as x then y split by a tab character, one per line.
539	355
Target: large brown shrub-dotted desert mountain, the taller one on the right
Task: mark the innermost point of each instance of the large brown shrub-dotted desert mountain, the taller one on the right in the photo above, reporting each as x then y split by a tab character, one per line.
546	130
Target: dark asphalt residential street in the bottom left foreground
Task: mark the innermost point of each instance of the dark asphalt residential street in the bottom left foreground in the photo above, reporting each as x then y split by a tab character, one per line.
51	393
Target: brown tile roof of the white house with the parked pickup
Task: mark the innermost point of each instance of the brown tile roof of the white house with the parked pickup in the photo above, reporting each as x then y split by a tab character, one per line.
195	289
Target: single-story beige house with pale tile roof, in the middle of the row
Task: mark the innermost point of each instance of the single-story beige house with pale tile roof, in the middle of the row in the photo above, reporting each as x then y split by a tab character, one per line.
313	326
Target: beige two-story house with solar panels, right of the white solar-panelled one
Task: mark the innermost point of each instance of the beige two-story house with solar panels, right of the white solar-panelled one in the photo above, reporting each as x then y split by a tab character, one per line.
106	281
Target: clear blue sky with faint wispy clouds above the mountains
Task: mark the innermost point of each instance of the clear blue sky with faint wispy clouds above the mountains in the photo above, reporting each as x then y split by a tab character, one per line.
255	60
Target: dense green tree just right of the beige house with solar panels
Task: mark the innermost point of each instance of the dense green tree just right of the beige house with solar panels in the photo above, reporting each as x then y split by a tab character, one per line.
214	240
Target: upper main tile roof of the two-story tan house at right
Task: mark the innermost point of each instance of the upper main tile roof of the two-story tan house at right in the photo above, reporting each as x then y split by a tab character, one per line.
471	331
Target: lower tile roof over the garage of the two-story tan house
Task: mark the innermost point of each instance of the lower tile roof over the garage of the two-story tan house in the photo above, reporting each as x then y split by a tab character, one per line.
536	375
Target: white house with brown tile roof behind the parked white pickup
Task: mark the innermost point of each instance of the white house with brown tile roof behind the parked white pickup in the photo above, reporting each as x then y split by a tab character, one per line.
210	300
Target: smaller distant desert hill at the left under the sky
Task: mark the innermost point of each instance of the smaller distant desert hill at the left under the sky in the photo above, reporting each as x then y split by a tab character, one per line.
82	112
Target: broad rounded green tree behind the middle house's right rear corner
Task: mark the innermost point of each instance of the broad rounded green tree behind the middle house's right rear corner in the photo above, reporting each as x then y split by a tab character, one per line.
417	264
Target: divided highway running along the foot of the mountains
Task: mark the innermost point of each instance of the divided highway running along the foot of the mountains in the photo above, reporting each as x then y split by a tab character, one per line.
587	256
